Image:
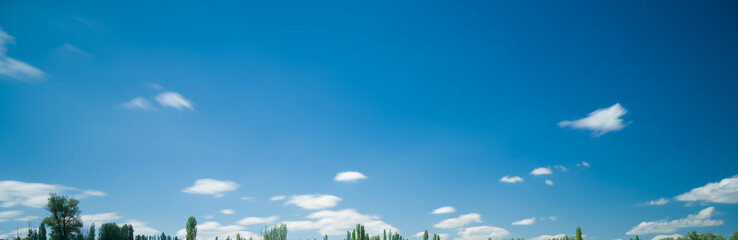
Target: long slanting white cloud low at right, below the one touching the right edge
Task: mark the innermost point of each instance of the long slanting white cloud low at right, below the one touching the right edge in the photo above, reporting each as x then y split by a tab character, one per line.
701	219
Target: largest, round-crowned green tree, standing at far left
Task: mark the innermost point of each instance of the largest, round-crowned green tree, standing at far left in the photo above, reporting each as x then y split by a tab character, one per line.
64	220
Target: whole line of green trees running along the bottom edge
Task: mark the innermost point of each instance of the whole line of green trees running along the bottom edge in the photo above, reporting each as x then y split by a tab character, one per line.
65	224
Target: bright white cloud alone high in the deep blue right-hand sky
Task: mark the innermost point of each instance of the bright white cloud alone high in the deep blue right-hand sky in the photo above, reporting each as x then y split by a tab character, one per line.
600	121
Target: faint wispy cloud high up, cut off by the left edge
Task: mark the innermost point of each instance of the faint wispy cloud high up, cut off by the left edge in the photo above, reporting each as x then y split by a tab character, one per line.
13	68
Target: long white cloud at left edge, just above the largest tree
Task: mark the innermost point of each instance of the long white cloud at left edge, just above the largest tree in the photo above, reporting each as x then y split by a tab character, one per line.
35	195
